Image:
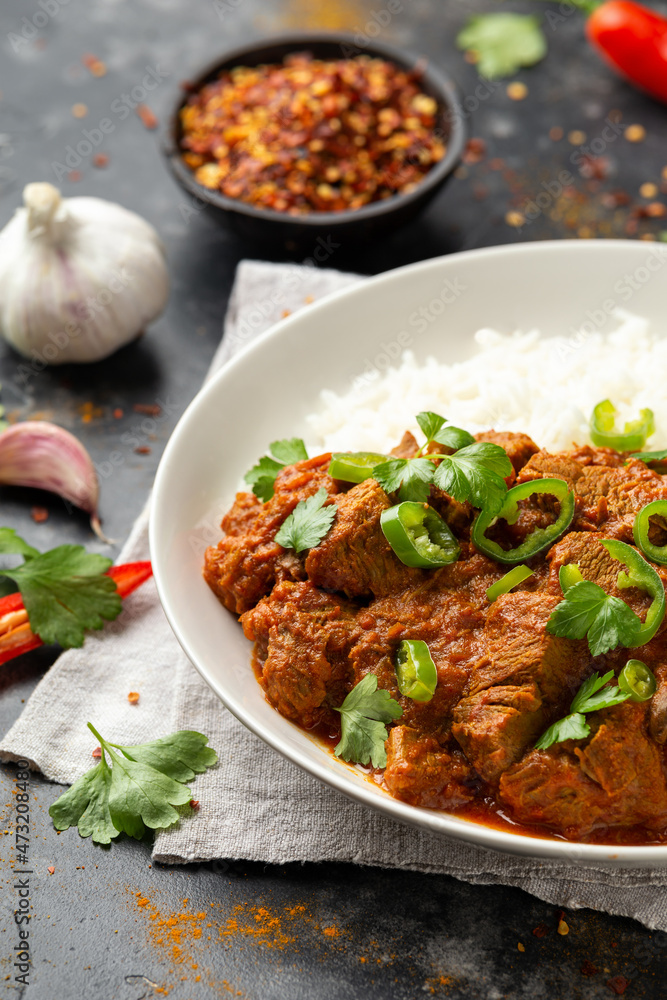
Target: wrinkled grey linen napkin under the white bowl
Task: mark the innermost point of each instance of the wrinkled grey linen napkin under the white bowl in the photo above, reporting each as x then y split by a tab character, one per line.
254	804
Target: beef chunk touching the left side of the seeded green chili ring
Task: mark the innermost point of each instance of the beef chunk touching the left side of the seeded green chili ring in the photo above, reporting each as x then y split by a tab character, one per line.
355	557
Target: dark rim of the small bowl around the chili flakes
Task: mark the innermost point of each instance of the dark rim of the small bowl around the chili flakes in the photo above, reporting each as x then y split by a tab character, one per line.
441	83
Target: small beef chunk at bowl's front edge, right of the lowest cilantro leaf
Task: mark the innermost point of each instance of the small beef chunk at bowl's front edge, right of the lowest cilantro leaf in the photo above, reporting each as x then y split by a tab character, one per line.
421	772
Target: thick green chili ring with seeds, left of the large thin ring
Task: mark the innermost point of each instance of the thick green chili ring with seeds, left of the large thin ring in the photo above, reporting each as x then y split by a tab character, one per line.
419	536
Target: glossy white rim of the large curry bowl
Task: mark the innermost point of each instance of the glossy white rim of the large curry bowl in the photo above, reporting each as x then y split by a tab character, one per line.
475	835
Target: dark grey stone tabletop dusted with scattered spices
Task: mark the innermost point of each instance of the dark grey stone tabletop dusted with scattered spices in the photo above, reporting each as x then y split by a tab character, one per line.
396	935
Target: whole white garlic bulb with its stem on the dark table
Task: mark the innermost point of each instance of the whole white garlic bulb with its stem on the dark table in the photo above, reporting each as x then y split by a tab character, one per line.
79	277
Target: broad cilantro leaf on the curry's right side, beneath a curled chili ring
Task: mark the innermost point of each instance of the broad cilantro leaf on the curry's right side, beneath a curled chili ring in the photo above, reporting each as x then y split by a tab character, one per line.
586	609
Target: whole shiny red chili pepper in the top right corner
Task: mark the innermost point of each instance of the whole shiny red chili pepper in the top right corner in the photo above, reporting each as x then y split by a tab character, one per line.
633	40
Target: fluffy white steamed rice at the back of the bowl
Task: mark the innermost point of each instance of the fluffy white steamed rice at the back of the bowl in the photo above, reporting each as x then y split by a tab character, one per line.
546	387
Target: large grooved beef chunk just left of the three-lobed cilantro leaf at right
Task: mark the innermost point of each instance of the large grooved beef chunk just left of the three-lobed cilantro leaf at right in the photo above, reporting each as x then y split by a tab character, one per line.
523	681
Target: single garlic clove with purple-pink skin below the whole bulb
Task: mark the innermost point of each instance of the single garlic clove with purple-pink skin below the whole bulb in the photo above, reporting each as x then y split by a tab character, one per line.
47	457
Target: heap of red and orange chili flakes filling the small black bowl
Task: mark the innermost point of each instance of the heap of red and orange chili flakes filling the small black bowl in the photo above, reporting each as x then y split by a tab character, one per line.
312	135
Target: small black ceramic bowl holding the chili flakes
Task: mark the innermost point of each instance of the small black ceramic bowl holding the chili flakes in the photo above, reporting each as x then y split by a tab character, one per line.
373	220
